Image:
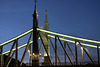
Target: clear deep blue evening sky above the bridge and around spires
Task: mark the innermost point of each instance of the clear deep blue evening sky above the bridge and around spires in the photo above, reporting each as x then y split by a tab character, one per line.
79	18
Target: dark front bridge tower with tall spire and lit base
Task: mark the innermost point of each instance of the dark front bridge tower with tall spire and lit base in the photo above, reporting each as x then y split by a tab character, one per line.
35	51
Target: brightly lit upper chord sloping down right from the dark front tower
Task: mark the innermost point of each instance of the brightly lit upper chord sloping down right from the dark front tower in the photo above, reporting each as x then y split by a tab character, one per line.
72	37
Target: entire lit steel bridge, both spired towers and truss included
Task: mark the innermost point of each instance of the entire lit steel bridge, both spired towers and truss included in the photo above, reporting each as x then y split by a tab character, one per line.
45	42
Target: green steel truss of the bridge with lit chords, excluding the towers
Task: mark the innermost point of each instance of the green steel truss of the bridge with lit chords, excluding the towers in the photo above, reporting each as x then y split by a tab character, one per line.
59	37
